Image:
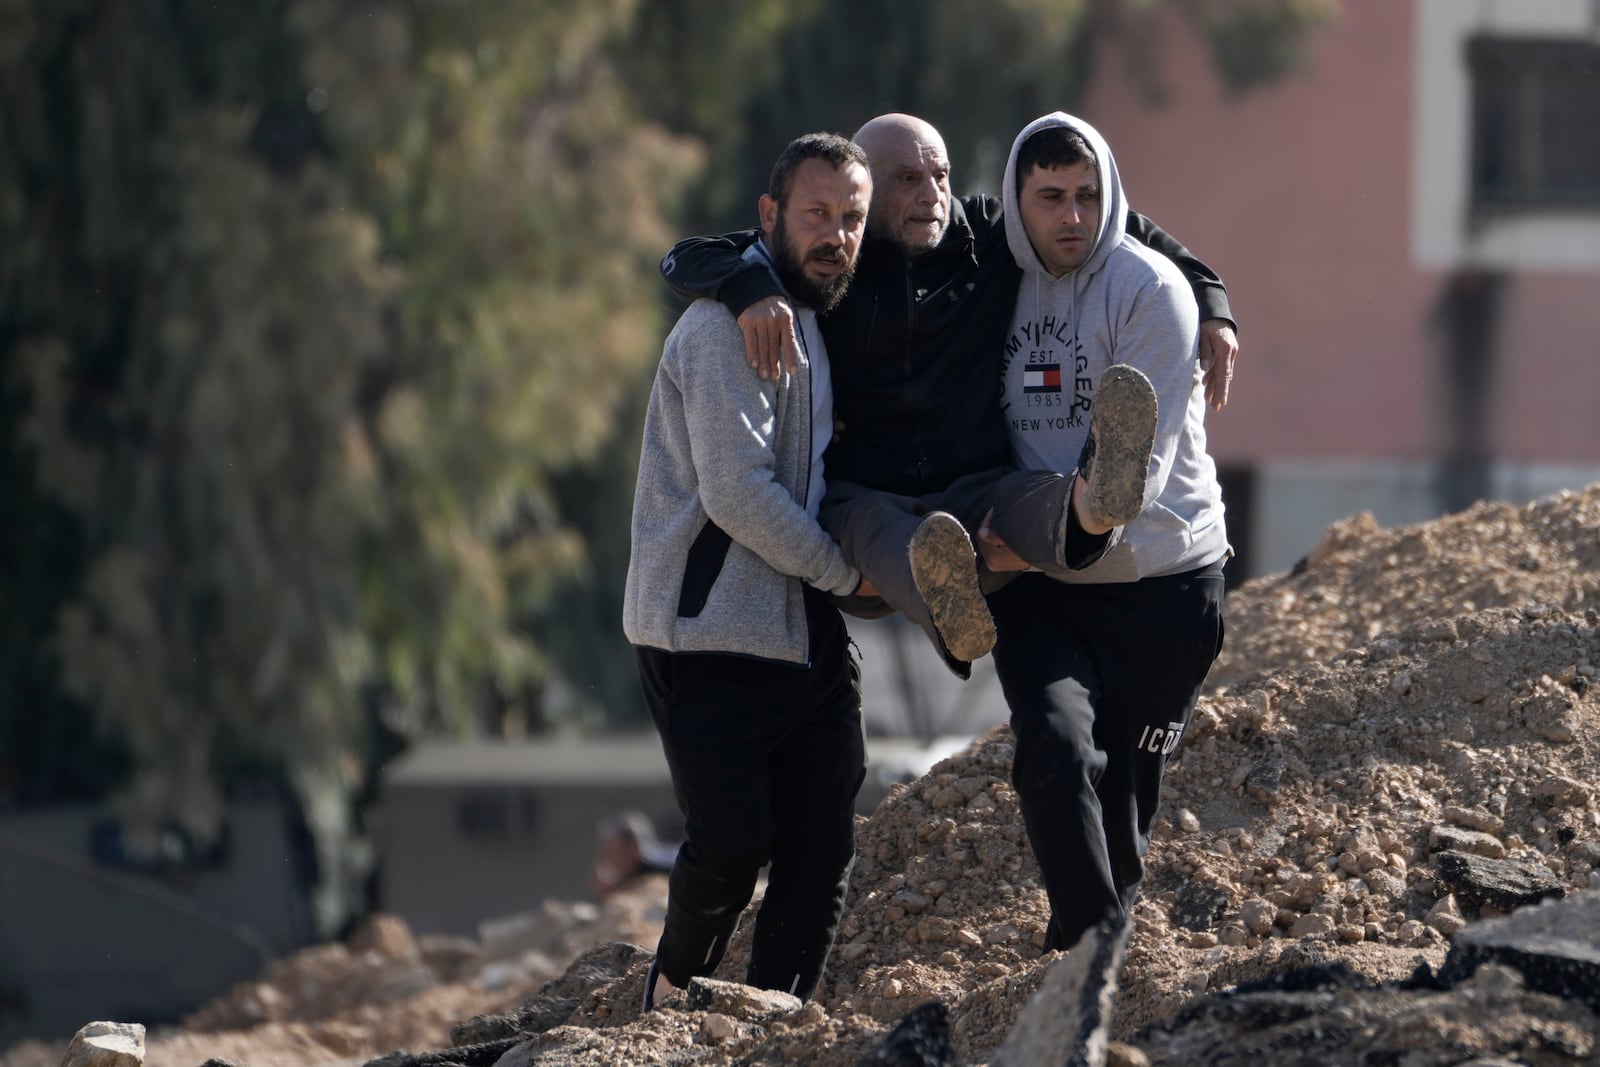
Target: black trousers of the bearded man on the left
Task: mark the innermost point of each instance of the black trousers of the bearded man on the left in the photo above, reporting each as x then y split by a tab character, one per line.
767	761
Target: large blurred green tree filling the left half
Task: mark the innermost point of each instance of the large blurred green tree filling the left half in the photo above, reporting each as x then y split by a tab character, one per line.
308	306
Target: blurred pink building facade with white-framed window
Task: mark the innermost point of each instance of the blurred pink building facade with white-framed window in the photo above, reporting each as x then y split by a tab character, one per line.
1410	231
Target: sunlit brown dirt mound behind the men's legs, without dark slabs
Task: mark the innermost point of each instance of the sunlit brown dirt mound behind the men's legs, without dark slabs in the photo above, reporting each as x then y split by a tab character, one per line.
1311	821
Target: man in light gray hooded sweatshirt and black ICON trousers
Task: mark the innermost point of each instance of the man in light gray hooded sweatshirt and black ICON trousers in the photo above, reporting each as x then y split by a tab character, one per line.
1102	666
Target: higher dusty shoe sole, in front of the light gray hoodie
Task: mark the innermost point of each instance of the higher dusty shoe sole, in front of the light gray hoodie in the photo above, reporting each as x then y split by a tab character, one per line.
1116	457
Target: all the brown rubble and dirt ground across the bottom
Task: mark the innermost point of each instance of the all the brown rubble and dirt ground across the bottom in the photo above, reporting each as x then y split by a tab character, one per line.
1380	842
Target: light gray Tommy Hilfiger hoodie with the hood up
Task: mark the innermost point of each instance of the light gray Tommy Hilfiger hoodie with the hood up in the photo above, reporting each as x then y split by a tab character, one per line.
1124	305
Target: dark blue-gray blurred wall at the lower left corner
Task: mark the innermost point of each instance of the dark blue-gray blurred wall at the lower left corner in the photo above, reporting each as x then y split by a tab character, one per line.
84	937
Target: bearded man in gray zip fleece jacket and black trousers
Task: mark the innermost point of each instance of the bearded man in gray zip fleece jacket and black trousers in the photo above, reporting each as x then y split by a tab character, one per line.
743	660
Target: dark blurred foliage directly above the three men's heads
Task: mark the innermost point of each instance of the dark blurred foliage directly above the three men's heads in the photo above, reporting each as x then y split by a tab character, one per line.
978	70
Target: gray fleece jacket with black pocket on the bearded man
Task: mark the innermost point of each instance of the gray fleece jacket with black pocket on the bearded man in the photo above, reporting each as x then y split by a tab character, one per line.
724	511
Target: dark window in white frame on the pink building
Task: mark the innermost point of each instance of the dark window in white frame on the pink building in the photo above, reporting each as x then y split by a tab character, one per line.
1535	114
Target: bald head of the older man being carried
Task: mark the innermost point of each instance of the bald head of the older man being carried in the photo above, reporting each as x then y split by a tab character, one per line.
911	182
